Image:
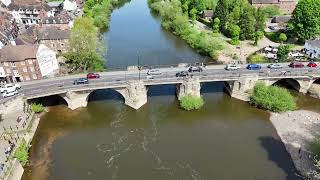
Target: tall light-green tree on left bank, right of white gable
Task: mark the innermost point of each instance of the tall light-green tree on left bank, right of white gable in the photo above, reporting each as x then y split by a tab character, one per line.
84	53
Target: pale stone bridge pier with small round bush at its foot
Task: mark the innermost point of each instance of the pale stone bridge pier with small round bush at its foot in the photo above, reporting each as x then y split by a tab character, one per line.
190	86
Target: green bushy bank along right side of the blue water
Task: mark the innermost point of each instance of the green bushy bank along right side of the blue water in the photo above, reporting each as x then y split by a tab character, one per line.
173	19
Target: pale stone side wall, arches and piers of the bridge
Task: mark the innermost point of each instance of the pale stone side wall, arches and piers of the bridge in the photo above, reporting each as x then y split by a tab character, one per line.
134	92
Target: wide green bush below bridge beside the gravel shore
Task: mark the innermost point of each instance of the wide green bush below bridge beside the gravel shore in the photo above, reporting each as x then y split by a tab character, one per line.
272	98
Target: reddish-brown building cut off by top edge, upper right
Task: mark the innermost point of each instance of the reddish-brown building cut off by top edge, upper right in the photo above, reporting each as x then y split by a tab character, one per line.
286	6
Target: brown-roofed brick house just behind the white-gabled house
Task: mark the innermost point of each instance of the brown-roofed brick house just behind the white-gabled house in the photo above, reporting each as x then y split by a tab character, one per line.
55	39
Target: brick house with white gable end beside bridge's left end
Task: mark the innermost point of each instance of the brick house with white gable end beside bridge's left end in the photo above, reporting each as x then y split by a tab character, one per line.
28	62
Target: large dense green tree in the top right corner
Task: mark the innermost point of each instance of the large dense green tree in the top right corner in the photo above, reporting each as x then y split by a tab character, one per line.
306	19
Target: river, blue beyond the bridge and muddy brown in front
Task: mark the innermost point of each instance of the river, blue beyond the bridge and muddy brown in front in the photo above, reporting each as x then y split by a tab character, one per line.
226	140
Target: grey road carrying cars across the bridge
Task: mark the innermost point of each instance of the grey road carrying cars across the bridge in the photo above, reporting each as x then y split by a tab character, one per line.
112	76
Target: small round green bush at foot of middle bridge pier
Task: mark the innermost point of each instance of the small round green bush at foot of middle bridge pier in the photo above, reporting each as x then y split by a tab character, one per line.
191	102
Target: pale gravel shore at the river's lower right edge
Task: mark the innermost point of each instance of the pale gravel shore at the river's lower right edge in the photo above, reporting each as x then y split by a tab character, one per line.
297	129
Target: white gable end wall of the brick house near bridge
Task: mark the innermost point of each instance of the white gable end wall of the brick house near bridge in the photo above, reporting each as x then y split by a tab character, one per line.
47	61
